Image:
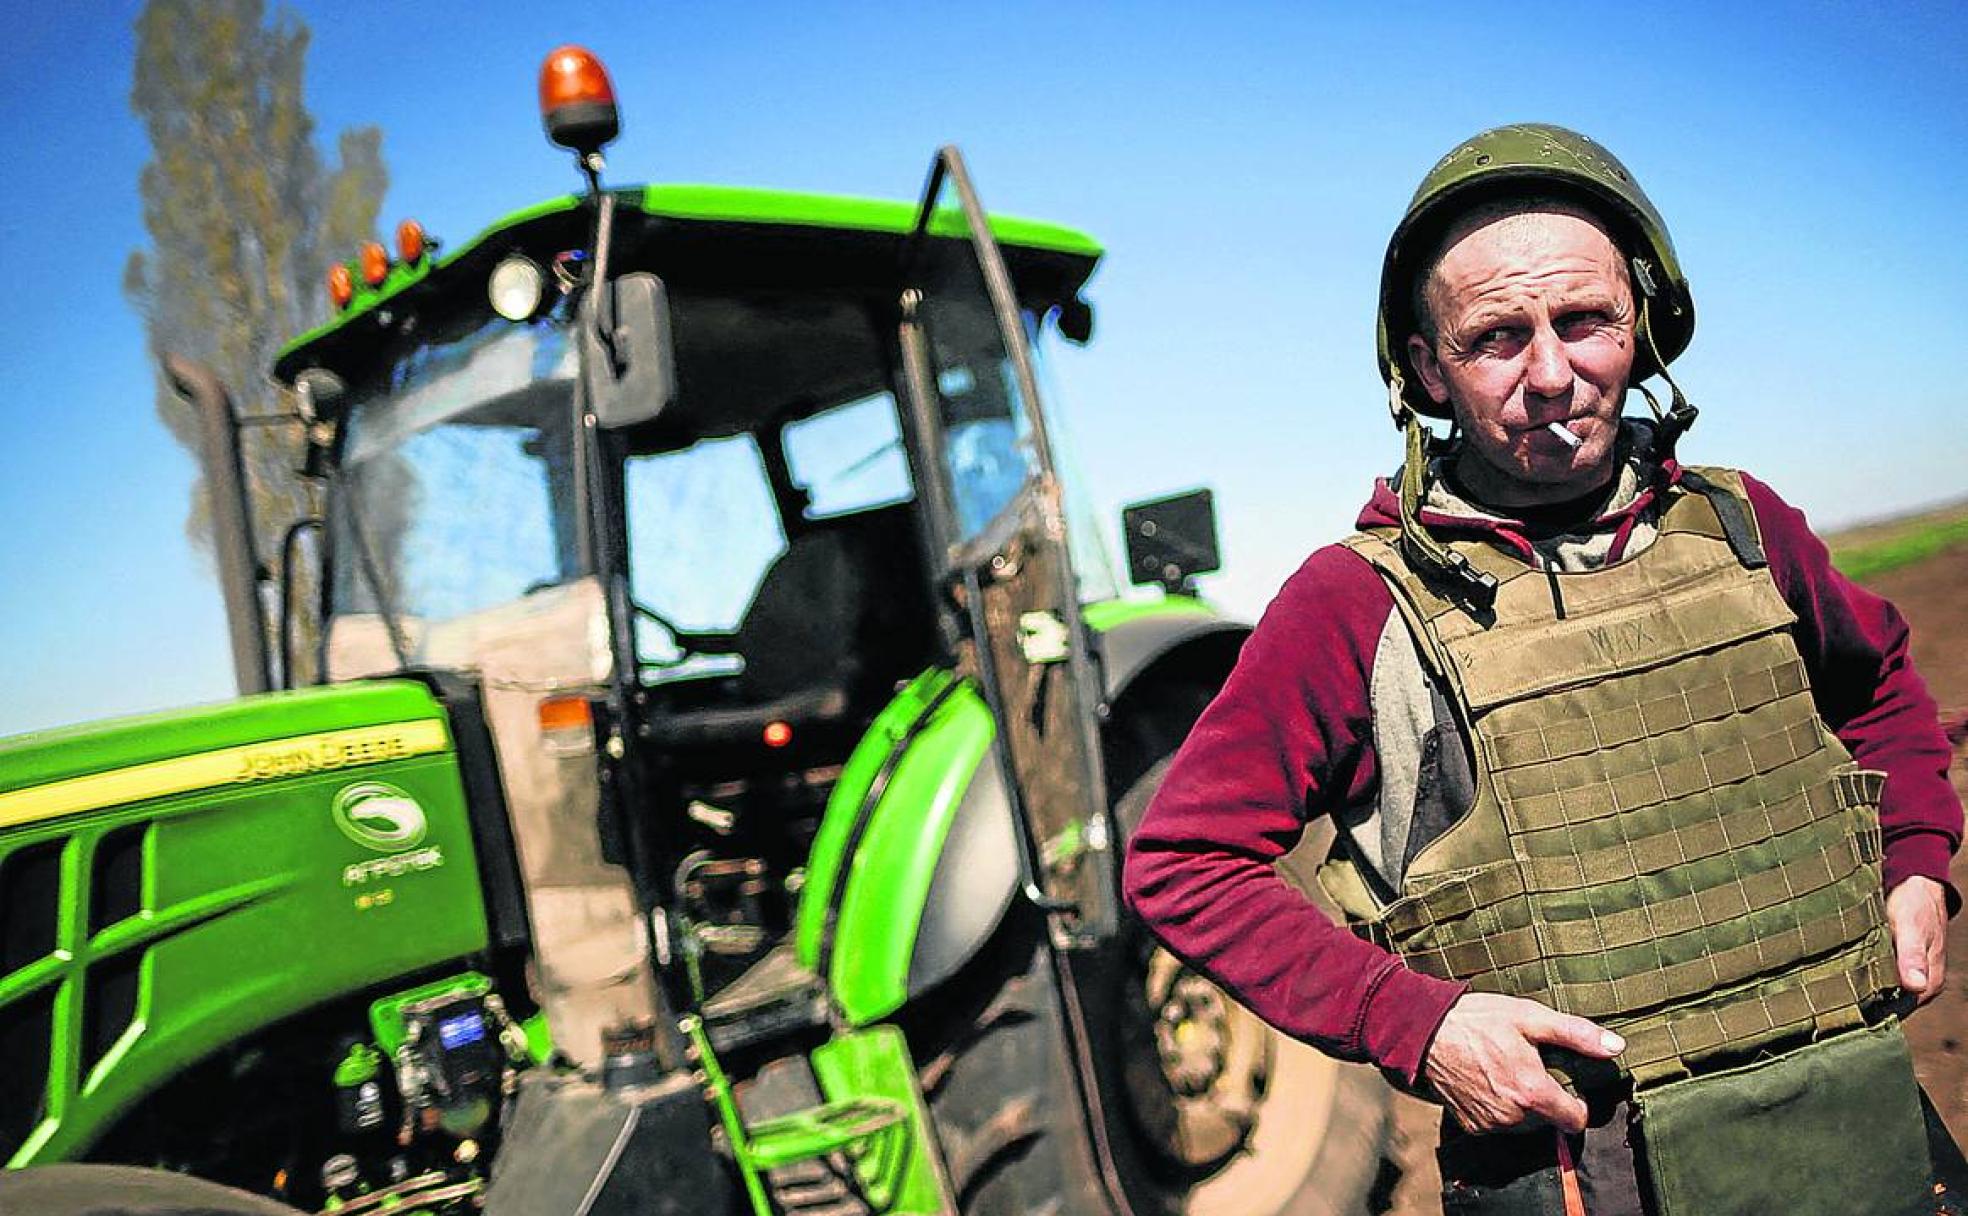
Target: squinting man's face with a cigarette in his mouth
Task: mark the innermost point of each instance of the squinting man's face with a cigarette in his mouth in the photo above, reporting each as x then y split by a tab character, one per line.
1534	326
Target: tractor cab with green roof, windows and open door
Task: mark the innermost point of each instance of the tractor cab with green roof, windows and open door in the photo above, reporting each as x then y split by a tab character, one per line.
690	574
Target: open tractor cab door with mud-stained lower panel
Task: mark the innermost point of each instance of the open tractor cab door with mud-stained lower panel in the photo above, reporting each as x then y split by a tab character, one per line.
981	456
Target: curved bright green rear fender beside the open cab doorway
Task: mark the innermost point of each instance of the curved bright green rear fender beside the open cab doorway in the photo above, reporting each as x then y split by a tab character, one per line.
916	859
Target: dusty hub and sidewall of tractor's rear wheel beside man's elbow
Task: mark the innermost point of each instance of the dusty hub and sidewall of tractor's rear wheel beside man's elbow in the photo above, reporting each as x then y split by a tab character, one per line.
1239	1117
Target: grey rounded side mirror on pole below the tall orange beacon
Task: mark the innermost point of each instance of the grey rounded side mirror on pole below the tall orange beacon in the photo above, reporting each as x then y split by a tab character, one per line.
631	357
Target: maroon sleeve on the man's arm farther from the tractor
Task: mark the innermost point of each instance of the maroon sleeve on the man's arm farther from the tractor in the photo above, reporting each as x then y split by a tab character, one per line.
1855	644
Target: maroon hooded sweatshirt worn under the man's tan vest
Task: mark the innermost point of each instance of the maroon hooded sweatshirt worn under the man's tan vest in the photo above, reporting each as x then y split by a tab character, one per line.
1292	737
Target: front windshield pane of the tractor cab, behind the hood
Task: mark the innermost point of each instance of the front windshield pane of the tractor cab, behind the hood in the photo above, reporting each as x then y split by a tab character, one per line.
456	487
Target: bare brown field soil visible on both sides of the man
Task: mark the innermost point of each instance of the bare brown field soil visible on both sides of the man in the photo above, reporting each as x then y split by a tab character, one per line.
1934	597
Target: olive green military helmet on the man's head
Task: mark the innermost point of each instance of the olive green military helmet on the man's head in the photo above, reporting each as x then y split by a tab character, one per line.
1534	158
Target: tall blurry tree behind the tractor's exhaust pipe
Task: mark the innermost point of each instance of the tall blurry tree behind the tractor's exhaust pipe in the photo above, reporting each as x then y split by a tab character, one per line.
245	219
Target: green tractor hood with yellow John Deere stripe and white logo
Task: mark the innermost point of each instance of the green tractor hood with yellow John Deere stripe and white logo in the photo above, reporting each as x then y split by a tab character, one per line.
176	882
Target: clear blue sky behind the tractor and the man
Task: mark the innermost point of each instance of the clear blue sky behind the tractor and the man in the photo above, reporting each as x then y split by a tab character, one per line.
1241	162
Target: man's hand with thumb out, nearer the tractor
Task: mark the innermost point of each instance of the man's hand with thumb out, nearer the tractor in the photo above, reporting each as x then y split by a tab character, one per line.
1487	1069
